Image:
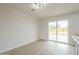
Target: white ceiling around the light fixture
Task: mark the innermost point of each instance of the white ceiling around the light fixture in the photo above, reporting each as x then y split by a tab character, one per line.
52	9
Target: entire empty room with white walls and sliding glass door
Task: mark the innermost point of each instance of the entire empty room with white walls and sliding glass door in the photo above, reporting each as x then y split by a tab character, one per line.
39	28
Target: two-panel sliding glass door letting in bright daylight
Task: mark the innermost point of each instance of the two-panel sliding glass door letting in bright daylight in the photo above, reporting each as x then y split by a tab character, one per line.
58	31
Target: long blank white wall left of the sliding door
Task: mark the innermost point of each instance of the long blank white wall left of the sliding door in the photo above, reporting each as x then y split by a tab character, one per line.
16	28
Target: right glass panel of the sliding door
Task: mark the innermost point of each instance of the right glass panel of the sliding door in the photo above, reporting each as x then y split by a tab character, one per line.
62	31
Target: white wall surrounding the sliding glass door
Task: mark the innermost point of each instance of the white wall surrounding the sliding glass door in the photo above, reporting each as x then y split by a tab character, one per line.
73	25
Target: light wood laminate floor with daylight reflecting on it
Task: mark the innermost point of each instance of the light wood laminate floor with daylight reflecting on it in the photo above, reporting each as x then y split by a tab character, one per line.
41	47
